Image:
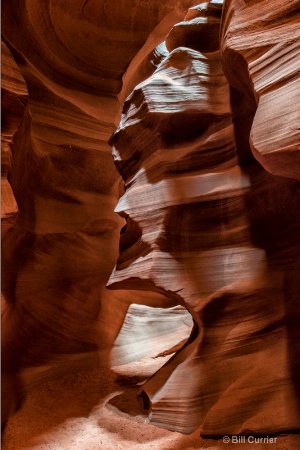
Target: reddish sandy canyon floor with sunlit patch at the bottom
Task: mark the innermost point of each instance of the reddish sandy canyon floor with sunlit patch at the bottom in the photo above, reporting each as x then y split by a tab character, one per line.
73	412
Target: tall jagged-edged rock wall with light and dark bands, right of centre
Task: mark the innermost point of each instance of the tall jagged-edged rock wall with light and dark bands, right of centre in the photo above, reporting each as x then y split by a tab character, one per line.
210	228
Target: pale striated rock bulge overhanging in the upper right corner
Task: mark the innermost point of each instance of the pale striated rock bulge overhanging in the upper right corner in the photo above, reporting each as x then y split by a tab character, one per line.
264	43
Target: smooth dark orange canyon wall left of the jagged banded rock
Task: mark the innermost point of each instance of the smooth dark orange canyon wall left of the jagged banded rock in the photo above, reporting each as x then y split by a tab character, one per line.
64	243
